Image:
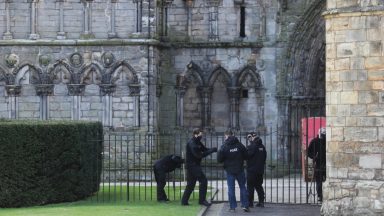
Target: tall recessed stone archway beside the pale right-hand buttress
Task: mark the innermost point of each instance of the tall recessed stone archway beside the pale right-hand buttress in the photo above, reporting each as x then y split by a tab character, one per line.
304	75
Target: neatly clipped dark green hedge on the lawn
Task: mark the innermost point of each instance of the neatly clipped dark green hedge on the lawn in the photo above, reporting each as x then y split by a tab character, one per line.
48	161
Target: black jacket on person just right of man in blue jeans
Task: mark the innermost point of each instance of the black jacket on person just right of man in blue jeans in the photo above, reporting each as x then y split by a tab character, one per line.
257	156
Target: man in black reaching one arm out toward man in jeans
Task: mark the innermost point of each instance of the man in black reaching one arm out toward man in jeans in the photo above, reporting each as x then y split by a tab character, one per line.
195	152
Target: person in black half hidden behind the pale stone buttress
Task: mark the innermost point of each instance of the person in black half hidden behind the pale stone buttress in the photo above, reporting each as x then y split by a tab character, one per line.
316	151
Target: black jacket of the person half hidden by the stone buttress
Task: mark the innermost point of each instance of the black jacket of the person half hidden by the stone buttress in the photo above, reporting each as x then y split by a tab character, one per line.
316	151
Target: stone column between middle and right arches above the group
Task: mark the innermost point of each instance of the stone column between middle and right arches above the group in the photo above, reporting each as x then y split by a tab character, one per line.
234	98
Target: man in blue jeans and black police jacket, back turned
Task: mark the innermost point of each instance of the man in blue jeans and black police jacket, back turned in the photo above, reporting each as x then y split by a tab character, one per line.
233	154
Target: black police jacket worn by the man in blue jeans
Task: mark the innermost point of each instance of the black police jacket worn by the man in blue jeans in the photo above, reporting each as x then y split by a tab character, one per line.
232	153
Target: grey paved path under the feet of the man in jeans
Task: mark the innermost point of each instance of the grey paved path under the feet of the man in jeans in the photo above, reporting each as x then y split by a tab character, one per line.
221	209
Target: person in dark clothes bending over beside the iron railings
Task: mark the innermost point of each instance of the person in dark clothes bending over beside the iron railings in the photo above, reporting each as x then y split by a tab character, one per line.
161	168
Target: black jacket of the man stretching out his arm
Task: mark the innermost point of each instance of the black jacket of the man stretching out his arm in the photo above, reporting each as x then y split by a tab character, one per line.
196	151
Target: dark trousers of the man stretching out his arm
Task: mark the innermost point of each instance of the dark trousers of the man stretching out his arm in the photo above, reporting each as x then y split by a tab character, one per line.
195	173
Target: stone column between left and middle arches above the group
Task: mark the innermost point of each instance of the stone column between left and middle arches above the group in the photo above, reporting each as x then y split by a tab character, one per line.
205	94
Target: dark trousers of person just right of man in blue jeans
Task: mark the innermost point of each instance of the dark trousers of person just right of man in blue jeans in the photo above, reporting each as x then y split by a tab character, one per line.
255	181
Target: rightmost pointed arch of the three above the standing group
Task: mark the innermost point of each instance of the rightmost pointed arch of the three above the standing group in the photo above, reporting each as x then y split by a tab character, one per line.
248	76
